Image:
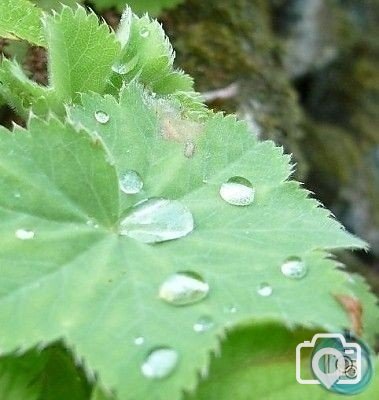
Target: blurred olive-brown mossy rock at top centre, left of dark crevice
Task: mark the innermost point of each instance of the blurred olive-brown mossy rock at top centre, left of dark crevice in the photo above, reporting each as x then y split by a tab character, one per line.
221	42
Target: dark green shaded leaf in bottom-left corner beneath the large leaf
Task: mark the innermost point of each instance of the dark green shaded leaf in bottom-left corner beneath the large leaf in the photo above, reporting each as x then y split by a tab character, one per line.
50	374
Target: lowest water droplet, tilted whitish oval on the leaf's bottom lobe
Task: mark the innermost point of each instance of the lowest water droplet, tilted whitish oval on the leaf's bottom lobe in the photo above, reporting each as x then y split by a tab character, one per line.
160	363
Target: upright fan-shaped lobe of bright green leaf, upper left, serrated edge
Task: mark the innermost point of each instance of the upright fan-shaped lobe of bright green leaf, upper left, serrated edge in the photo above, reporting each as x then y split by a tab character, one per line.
81	53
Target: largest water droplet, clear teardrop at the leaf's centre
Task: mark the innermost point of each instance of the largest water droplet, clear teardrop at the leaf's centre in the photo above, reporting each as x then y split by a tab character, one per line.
157	220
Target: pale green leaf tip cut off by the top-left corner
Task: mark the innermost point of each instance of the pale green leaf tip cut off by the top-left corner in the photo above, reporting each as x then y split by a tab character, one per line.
20	19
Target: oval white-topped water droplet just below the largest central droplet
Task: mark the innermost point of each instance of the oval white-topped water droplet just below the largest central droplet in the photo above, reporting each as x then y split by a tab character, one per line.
183	288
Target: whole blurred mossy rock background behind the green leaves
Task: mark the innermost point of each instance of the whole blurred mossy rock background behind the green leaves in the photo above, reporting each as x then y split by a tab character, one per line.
304	73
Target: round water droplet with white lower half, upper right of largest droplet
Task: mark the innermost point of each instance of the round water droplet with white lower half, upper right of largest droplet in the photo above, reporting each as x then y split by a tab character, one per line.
237	191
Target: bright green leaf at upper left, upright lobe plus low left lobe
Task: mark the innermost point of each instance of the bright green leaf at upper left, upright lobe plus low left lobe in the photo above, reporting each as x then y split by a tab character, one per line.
75	40
